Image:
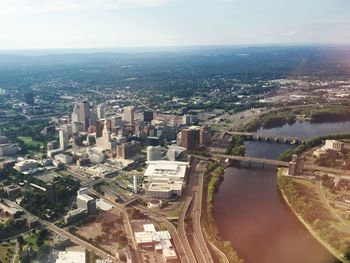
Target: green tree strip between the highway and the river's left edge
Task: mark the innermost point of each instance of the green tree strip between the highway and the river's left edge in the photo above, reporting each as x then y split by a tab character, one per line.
213	179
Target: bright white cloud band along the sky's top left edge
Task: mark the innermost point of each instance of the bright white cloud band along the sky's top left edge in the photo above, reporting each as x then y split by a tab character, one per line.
47	6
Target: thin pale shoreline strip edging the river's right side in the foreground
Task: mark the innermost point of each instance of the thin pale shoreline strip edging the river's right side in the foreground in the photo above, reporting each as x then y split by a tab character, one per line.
308	226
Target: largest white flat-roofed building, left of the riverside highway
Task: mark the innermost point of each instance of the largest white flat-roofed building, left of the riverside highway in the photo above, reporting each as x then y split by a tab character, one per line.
165	179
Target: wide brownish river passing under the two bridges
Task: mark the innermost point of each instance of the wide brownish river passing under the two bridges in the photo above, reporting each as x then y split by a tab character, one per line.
251	213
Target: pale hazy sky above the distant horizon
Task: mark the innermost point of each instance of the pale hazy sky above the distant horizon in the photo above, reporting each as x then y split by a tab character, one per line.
119	23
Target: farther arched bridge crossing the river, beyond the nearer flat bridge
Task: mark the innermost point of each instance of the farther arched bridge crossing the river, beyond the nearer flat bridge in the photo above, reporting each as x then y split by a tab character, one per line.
266	137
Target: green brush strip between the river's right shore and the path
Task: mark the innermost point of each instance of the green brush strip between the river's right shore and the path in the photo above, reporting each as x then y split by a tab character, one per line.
304	204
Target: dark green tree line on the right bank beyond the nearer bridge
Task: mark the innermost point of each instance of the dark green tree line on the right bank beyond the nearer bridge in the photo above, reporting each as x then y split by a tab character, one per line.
287	156
